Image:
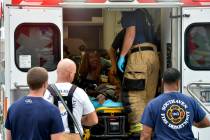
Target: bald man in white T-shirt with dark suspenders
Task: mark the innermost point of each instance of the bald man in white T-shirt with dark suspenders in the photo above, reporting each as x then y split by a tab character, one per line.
76	99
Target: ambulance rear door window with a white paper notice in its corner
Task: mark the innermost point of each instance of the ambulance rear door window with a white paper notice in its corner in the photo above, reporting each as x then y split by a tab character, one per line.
37	45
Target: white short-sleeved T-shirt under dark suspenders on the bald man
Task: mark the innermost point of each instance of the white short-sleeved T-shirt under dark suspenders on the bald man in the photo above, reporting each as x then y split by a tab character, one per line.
80	102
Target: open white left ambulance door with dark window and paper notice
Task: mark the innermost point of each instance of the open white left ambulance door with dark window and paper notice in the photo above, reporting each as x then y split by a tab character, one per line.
34	38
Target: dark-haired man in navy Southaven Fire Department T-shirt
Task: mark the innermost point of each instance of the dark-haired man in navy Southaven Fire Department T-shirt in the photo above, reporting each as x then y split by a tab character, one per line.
172	114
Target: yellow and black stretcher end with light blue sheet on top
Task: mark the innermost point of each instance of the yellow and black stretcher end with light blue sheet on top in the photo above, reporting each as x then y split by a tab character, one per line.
112	122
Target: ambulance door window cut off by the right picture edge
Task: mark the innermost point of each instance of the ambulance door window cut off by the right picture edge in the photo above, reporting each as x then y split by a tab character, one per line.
197	46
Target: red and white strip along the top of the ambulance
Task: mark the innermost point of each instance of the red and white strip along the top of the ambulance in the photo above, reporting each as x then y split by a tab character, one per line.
113	3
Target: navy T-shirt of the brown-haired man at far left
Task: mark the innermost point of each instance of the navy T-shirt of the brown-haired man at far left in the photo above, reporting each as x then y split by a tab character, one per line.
33	118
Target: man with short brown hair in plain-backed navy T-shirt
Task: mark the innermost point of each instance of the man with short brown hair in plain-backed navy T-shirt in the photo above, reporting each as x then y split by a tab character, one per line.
26	119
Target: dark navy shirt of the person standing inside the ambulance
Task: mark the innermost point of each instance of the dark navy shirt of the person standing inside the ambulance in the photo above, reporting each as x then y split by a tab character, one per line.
139	18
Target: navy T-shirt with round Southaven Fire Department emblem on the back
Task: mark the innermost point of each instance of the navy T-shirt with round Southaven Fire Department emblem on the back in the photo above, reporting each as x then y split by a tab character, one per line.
171	115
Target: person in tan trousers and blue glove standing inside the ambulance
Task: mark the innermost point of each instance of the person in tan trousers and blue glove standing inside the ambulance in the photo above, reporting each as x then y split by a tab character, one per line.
139	36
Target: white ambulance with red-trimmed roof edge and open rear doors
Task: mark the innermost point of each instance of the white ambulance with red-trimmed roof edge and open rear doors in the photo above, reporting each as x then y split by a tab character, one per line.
37	31
